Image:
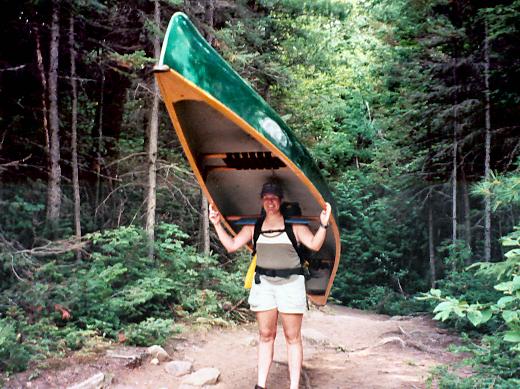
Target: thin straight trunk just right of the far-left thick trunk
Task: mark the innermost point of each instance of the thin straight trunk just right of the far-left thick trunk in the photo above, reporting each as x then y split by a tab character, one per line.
74	136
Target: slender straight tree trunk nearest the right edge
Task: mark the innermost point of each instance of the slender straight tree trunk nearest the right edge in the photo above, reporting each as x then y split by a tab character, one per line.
487	200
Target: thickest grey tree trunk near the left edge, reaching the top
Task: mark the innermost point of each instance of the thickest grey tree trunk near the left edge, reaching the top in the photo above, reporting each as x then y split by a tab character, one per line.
54	184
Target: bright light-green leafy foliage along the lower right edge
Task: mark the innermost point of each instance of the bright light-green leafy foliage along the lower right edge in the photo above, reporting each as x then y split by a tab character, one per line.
496	359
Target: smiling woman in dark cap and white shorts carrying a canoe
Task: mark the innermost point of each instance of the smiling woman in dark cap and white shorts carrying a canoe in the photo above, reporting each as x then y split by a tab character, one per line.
271	295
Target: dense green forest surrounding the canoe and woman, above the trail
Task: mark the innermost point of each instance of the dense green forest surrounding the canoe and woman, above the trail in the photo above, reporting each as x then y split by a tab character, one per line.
411	109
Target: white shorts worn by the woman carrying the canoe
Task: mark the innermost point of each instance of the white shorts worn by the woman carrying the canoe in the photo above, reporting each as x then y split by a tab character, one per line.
288	296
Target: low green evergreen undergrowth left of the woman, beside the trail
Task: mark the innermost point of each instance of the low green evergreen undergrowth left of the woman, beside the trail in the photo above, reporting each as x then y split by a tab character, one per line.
116	290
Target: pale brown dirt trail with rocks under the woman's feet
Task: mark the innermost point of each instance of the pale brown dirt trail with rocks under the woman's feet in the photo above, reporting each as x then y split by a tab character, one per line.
363	350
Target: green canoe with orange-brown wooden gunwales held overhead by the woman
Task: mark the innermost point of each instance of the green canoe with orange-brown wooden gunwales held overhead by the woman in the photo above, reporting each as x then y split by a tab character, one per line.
235	141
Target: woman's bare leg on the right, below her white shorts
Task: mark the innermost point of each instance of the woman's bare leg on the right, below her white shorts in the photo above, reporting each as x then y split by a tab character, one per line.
292	326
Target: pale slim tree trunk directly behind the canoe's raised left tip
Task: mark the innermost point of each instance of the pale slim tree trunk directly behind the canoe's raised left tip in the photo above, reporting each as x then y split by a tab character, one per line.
153	129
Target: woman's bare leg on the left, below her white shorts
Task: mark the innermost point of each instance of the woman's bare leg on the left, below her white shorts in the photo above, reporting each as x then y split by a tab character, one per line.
267	333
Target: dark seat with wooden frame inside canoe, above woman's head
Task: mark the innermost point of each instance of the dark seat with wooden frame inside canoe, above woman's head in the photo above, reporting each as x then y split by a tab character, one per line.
250	160
